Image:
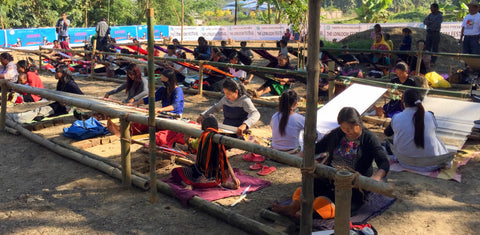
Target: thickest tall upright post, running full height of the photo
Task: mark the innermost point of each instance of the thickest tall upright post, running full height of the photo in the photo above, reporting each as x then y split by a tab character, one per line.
313	73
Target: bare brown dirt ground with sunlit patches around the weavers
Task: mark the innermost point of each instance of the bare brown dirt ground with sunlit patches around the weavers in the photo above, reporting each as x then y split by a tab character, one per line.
44	193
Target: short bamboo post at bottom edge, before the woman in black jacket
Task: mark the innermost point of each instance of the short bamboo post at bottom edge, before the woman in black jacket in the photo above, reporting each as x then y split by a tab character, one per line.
343	198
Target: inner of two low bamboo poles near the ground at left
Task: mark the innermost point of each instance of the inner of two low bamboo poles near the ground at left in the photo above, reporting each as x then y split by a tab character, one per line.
96	164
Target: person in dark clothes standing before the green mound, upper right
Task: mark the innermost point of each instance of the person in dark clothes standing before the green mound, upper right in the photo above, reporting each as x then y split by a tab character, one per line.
433	22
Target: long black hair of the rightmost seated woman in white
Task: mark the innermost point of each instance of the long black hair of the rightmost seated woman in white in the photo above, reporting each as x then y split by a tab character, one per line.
413	98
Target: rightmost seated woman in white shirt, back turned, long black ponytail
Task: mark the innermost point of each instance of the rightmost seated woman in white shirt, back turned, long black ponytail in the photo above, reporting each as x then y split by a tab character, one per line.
415	142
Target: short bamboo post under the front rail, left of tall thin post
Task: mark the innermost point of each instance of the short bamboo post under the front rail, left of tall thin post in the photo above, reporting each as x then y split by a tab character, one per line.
125	141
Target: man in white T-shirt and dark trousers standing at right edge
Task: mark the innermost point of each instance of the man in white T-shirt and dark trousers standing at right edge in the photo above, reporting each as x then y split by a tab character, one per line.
471	29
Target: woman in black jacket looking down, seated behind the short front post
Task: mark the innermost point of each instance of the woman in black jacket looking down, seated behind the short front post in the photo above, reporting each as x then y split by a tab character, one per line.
352	147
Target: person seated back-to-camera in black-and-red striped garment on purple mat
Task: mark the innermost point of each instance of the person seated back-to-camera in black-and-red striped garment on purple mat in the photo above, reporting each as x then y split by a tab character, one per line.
211	167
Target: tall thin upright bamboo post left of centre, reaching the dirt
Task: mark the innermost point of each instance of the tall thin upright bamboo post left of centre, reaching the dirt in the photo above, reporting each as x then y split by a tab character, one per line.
151	108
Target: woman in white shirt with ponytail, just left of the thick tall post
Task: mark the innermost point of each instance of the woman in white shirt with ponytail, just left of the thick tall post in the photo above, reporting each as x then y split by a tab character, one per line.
286	125
